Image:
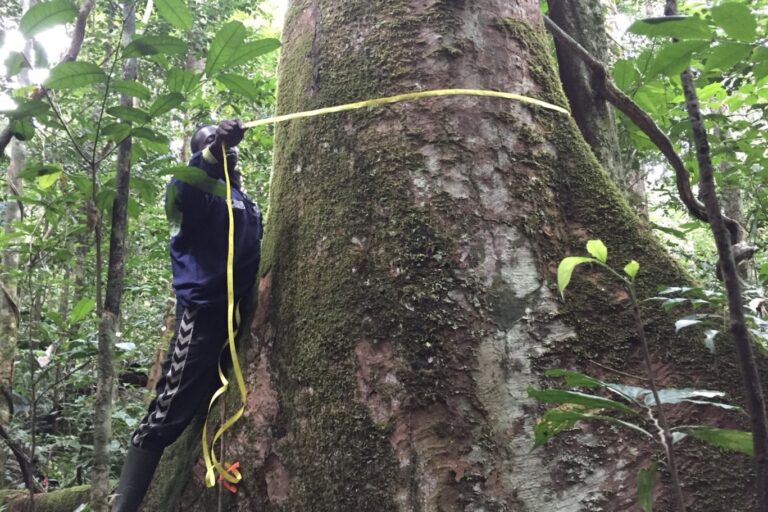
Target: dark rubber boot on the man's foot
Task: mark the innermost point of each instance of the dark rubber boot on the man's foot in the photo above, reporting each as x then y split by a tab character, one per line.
138	468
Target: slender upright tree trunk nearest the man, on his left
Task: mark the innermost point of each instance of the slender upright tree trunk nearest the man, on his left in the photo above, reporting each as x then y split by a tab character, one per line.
110	315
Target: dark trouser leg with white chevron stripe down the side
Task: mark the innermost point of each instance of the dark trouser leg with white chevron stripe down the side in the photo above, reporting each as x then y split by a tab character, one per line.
189	376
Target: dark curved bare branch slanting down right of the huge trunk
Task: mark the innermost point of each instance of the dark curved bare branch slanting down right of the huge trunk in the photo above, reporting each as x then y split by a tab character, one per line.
624	104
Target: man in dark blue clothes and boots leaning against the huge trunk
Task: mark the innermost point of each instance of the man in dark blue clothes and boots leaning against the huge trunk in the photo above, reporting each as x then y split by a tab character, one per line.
198	249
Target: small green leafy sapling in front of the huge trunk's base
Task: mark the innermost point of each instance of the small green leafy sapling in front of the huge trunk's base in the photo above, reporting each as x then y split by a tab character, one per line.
636	408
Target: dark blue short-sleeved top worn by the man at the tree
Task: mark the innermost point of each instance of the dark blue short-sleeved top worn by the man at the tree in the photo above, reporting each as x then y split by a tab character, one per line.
199	224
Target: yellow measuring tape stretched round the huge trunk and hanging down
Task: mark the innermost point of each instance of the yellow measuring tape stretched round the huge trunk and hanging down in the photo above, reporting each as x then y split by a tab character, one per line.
227	472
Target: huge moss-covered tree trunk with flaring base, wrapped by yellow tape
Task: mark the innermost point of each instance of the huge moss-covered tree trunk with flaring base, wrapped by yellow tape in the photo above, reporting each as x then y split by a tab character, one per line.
407	296
